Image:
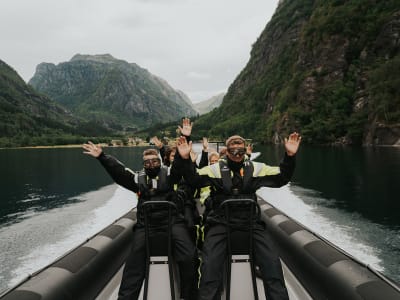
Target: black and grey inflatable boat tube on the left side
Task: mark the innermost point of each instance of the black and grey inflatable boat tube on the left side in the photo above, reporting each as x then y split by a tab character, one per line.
82	273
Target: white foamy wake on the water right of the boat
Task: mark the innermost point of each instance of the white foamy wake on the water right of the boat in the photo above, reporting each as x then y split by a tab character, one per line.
346	230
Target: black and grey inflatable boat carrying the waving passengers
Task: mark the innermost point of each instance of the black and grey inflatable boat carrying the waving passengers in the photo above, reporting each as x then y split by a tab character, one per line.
313	267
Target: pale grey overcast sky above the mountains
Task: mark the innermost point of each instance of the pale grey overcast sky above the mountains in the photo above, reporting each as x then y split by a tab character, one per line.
198	46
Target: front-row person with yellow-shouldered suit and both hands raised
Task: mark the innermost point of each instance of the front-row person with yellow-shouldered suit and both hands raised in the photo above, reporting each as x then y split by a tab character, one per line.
237	178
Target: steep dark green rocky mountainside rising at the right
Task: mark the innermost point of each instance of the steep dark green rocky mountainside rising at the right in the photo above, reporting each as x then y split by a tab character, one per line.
329	69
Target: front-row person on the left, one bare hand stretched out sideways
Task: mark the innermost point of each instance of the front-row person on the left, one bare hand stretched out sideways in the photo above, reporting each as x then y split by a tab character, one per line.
154	182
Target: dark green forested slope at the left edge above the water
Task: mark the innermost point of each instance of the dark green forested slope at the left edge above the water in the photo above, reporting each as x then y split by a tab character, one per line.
28	118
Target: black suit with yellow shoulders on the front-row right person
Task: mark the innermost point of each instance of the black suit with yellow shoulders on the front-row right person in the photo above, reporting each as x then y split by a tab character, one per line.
214	247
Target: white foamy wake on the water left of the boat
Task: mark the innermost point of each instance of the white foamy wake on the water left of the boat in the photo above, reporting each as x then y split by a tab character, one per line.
37	241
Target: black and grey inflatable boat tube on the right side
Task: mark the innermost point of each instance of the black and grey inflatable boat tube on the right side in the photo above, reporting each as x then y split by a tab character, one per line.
323	269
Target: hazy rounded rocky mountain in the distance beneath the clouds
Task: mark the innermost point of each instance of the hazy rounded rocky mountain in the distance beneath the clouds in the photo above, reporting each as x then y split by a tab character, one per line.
111	91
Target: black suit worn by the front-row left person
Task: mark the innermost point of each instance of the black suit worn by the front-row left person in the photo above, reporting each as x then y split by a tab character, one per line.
184	249
